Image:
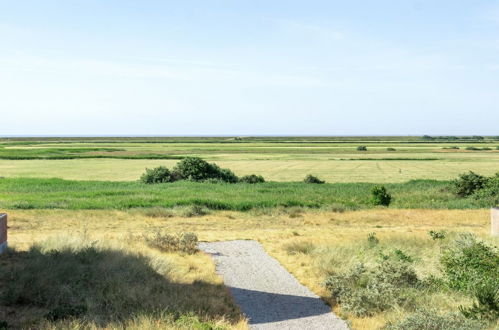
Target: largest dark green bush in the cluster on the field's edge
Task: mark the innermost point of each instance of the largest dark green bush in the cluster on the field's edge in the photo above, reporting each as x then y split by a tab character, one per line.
197	169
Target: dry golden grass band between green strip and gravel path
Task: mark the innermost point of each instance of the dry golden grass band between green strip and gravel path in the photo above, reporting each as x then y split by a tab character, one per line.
334	235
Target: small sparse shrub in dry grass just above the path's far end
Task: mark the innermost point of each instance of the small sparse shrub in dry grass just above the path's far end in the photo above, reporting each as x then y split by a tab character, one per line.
180	242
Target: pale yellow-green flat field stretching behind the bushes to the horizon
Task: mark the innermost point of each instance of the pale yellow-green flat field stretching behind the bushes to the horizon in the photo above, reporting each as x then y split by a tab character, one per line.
277	159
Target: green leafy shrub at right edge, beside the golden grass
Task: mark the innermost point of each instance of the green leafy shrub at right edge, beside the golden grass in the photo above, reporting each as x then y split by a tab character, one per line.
468	263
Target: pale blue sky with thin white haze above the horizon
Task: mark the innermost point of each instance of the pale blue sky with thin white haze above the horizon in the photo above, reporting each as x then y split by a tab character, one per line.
259	67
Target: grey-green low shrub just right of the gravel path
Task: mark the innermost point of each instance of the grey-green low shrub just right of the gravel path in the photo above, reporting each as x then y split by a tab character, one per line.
365	291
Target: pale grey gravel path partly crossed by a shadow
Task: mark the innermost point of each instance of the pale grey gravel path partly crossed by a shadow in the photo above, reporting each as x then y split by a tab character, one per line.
269	296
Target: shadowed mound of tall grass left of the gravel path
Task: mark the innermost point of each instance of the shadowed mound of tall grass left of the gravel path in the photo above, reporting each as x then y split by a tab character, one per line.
79	283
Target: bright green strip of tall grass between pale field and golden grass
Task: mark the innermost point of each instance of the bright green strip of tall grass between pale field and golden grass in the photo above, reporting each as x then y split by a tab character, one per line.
64	194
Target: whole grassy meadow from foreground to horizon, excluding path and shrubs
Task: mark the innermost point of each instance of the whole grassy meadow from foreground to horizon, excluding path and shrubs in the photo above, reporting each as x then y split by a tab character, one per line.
76	205
